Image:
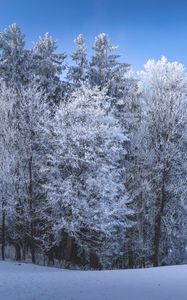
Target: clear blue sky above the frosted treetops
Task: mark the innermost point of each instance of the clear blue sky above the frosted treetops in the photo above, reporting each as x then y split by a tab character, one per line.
143	29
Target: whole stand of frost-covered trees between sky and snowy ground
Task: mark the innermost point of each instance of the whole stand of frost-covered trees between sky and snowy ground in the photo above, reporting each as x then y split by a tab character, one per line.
93	160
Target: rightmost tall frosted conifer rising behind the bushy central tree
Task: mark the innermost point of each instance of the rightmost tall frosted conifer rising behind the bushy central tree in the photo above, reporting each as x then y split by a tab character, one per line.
106	70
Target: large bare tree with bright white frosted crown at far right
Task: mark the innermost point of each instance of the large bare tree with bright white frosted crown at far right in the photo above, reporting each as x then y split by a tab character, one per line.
160	163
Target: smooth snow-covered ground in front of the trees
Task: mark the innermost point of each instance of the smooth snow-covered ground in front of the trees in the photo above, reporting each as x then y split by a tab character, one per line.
31	282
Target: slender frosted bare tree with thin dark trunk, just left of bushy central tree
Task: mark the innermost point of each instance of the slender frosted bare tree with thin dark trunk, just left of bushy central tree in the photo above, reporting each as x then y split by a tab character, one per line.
32	116
